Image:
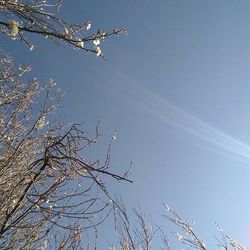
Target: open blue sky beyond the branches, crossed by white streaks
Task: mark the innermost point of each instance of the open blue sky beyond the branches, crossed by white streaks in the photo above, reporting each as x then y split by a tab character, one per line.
177	90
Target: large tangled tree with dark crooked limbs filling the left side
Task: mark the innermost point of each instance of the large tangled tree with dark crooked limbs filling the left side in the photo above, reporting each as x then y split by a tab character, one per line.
50	193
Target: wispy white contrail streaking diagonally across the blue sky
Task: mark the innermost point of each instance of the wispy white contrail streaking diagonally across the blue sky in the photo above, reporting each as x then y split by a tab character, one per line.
140	97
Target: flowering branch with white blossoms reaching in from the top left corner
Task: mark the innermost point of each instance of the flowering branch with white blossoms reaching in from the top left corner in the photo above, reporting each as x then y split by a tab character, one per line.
20	18
